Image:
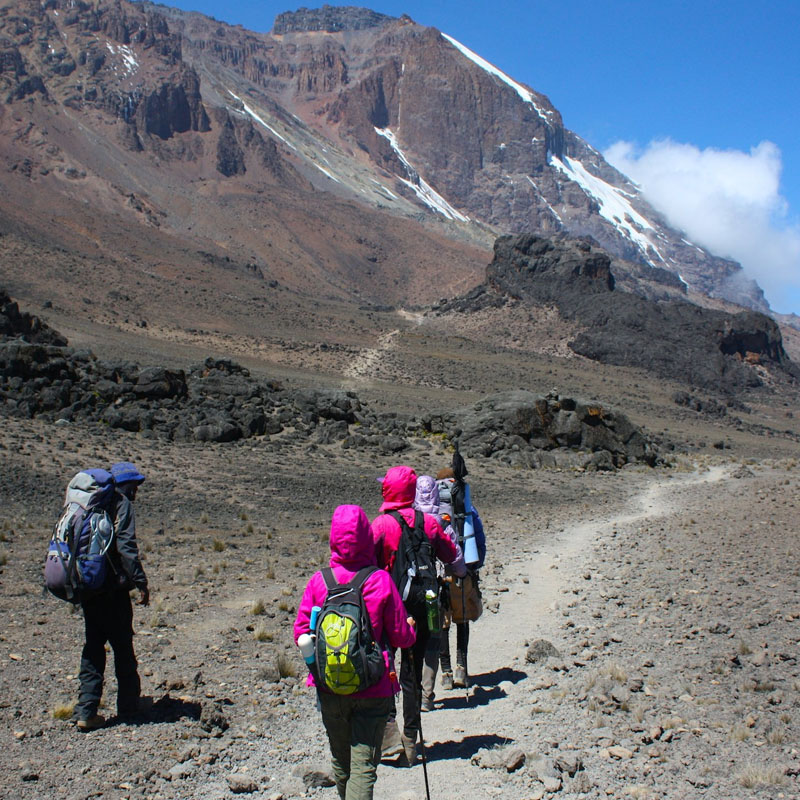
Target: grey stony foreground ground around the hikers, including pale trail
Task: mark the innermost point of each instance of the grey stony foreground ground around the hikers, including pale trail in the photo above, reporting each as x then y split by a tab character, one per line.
639	636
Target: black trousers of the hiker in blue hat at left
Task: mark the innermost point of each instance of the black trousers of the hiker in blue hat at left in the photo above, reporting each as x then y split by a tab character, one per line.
108	617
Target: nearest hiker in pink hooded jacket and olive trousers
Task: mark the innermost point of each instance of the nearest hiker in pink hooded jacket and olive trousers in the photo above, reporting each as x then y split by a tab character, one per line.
355	722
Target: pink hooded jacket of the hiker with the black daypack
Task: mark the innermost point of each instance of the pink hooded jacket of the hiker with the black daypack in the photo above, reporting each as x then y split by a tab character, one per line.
399	492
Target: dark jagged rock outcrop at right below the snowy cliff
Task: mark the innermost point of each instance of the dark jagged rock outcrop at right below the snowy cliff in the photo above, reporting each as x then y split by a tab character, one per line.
623	325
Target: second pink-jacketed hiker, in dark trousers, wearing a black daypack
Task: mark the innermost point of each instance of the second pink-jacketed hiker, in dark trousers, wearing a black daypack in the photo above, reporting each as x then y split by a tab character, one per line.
391	539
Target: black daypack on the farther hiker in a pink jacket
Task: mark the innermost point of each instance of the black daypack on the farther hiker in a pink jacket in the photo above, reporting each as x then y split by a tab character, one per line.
414	569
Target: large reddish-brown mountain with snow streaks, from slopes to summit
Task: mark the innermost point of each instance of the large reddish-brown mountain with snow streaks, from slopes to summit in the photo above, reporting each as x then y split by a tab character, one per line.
345	155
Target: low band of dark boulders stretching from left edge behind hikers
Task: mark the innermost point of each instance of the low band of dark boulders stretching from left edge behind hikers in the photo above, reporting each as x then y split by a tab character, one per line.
219	402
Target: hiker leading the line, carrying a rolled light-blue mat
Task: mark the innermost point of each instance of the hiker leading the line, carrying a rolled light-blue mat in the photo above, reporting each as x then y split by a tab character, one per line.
462	597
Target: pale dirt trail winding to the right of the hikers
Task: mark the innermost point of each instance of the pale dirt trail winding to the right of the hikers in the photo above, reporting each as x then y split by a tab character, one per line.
459	727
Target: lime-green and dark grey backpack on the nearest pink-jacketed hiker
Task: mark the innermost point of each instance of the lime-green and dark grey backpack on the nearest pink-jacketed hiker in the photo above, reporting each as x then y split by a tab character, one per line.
348	659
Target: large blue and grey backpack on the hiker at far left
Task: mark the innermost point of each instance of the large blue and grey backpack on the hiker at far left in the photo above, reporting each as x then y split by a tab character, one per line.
77	558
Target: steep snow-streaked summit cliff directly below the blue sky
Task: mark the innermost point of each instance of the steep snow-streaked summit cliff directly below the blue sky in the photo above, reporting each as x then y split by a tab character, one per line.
459	137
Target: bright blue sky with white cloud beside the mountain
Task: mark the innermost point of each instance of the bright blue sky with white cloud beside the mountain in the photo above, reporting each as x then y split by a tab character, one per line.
697	100
